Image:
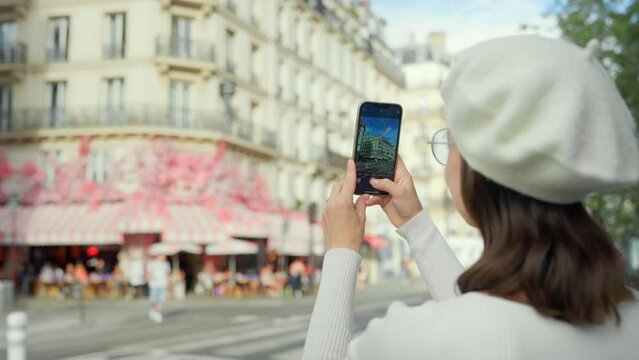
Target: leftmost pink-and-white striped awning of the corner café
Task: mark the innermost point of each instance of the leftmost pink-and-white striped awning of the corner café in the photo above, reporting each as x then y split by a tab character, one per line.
69	224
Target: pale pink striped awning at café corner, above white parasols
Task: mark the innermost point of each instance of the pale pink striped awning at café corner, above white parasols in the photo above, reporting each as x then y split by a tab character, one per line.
193	224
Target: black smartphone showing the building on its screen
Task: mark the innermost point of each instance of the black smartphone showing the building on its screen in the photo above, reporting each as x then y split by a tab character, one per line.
376	144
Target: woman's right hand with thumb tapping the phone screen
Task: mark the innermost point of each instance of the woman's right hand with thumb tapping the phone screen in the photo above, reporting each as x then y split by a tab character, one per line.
402	203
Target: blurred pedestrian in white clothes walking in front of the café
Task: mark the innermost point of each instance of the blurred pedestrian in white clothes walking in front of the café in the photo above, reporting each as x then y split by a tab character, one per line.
158	271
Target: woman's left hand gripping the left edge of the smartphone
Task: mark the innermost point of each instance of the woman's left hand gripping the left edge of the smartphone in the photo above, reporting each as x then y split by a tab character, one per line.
344	221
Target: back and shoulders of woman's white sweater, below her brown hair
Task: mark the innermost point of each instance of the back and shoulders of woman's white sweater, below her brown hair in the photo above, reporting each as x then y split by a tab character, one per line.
478	326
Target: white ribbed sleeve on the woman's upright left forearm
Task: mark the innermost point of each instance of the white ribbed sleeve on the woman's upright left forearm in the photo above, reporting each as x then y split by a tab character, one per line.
331	326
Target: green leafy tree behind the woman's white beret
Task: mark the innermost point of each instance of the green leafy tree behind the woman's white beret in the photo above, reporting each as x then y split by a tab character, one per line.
615	23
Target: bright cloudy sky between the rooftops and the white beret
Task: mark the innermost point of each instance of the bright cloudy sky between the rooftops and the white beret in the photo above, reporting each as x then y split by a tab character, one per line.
465	22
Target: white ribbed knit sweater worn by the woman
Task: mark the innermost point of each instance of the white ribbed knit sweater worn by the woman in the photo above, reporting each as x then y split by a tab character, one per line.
451	327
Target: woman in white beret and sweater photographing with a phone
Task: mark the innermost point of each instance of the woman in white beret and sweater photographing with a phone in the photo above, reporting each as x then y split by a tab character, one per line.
535	126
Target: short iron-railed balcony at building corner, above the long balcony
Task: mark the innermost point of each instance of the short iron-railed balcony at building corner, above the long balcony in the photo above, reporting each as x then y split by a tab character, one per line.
185	54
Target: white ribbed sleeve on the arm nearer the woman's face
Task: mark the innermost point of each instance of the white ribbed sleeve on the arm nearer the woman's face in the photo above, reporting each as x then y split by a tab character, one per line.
436	261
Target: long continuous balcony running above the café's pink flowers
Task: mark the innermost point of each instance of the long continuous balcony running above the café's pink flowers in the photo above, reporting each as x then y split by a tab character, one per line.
133	120
